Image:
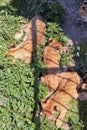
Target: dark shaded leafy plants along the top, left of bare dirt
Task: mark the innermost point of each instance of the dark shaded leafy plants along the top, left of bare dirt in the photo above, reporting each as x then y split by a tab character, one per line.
50	11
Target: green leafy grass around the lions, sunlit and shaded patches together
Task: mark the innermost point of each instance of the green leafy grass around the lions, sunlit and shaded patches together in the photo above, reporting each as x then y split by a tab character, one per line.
20	87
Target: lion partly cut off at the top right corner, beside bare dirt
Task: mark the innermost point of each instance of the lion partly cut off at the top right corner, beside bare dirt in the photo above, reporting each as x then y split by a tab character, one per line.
83	11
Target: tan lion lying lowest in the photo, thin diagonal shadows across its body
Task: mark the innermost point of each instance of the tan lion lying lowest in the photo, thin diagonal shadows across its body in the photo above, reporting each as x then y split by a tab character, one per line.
58	101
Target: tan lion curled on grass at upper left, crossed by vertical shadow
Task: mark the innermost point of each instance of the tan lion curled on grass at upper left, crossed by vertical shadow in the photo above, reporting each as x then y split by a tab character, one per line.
34	30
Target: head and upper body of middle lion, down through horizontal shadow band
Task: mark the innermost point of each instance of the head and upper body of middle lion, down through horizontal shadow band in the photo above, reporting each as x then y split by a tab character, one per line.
51	56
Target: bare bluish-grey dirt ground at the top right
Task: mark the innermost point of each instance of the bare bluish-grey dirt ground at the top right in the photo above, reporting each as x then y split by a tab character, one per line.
74	28
